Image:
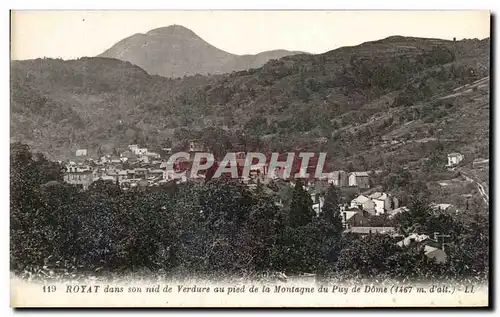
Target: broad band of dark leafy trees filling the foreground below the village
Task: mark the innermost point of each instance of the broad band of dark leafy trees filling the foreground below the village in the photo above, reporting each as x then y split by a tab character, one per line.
217	227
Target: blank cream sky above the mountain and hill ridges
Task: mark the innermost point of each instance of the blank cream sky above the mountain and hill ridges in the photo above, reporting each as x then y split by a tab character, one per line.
73	34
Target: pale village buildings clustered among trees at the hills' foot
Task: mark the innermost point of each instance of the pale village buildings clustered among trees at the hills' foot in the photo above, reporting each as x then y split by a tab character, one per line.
369	212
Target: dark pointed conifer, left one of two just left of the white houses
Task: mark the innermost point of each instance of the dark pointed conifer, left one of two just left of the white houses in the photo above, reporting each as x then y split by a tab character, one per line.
301	212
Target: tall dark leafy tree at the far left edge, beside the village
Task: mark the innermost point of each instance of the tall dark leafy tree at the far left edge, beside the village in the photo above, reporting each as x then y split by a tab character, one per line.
31	177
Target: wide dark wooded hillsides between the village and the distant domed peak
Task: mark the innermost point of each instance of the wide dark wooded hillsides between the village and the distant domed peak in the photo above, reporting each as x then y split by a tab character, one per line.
351	102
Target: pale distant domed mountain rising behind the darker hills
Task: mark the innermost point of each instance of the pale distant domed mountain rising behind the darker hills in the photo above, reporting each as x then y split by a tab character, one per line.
176	51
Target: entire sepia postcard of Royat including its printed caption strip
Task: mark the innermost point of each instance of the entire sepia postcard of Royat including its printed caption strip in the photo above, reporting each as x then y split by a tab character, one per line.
250	158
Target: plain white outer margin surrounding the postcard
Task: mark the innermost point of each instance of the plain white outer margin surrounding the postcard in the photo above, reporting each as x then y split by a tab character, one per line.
189	5
